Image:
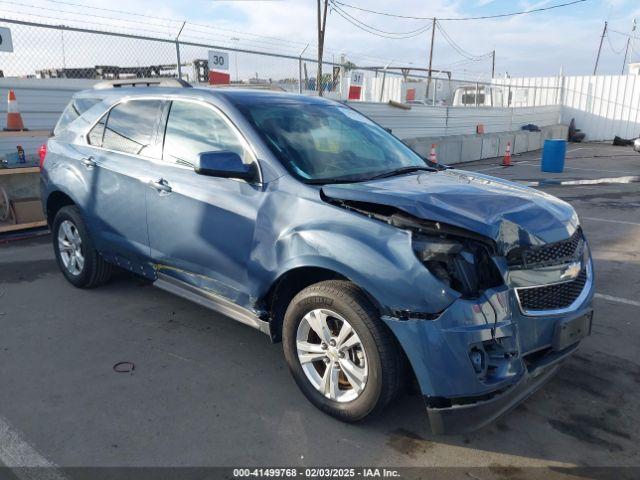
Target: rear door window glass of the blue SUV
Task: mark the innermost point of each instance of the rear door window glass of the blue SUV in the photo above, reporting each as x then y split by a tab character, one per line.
131	128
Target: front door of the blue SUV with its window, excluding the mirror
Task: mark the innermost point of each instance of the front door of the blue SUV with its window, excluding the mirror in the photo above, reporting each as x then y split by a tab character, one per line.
201	228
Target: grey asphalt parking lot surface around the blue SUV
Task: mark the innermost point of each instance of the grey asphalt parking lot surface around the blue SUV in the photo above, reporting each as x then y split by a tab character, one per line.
209	391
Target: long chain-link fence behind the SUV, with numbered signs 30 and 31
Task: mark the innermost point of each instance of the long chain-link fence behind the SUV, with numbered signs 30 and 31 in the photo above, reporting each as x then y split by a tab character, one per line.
60	51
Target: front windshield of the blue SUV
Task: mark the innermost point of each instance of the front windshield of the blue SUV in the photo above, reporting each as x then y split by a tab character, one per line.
328	143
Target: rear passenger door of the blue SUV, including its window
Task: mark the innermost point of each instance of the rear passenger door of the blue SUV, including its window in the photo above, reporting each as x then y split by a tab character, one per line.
119	160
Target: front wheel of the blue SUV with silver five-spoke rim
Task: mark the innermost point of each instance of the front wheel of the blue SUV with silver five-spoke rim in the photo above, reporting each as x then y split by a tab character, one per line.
375	354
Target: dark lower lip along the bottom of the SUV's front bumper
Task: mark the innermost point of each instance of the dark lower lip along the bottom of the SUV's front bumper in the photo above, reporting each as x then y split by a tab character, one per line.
476	413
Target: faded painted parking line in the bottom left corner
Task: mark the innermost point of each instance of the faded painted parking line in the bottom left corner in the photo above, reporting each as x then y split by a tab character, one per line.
26	463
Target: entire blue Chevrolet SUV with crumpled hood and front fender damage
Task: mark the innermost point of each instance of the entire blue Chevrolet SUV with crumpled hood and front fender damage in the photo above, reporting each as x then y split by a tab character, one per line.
303	218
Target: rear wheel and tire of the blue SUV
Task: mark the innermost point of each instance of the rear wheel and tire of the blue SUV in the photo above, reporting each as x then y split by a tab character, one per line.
93	270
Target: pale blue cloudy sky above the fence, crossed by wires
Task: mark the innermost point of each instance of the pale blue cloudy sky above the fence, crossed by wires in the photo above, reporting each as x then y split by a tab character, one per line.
533	44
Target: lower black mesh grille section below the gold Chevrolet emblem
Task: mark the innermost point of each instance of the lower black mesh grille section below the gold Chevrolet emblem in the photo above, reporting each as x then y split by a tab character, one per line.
552	297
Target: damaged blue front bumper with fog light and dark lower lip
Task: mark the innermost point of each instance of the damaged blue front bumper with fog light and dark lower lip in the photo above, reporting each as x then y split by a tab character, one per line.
521	352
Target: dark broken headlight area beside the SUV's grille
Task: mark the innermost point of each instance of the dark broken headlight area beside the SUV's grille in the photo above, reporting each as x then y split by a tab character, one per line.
463	265
